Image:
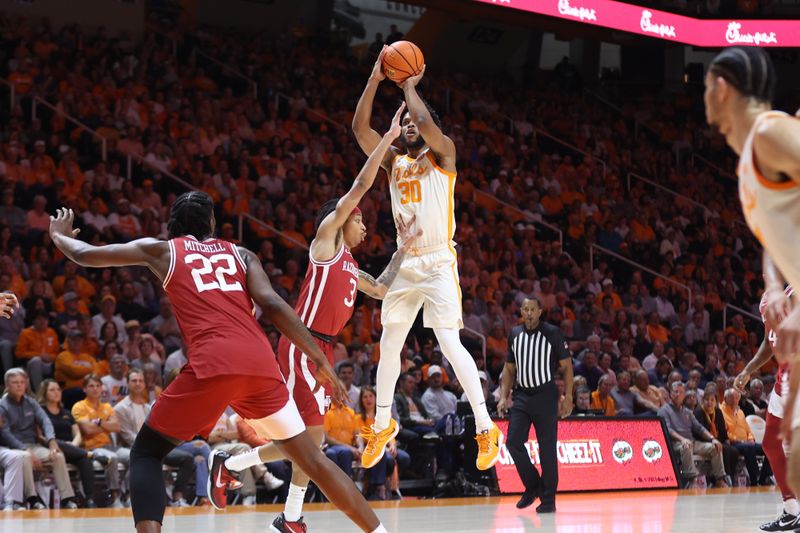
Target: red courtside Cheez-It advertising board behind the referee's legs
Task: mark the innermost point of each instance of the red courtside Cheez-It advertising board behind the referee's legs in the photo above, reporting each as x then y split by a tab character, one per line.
599	454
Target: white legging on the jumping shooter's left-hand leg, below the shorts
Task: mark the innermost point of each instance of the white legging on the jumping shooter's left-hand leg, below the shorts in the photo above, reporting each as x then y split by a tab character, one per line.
392	340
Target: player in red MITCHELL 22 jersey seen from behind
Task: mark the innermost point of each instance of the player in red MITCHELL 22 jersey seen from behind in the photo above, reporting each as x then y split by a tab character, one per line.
213	286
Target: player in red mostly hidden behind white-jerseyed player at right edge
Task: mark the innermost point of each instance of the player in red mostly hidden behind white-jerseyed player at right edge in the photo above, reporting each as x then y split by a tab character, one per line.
773	446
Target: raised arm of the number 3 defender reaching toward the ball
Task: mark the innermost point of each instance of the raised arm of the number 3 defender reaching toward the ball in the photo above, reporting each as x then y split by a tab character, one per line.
363	182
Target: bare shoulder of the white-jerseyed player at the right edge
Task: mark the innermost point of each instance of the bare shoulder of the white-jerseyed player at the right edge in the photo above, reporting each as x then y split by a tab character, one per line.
777	147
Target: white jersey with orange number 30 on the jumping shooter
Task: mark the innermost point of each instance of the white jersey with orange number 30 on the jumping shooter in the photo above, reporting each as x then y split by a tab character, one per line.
420	187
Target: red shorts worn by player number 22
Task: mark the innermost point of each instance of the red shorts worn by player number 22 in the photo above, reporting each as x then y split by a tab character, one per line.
191	406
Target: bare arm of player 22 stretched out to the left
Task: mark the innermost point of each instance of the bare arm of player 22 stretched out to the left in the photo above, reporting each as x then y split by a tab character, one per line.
148	252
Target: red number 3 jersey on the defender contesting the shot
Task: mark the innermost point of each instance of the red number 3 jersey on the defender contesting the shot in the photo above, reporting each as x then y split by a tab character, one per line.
329	293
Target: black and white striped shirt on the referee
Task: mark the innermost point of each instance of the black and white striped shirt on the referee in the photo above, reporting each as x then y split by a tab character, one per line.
536	353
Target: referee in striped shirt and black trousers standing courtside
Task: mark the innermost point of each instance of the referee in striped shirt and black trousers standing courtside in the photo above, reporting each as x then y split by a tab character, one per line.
535	352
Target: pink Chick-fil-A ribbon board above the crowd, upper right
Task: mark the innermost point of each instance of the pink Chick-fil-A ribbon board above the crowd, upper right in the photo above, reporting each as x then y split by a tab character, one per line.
663	25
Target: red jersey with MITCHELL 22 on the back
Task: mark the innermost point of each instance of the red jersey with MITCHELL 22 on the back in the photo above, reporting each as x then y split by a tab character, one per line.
207	287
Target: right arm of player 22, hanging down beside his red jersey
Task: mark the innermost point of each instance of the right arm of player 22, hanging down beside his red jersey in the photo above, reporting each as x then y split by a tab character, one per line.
288	323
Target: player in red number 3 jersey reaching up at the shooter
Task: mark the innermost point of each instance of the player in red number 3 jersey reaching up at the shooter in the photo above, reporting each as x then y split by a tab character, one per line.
325	305
